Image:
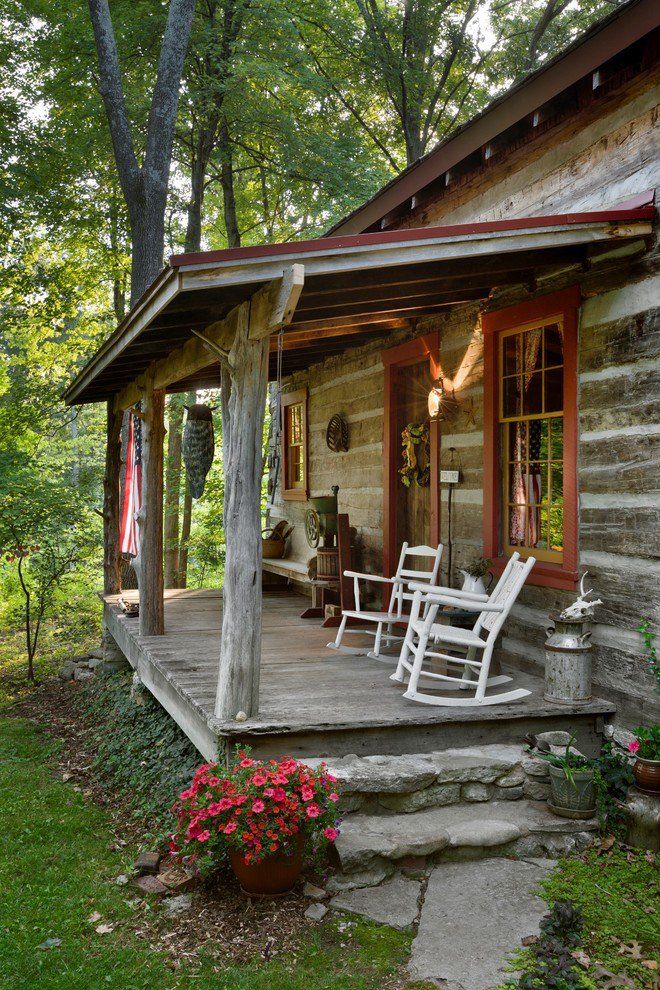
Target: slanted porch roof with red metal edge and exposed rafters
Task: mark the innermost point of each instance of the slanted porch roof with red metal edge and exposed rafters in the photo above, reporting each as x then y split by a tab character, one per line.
356	287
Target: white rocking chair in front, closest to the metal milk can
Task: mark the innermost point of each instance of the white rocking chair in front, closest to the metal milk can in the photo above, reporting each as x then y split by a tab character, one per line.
490	617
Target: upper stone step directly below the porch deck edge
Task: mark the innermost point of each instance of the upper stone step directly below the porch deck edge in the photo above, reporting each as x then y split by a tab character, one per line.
407	784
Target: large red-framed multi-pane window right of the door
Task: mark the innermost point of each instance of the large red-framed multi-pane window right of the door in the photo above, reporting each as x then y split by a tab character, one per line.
530	436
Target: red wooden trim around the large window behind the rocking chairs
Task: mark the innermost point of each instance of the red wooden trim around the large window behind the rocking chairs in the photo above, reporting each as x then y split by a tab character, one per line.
565	303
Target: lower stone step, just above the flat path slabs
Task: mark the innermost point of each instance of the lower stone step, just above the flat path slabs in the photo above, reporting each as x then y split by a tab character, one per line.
371	846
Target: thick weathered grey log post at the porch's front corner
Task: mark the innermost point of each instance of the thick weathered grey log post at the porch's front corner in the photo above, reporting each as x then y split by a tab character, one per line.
243	419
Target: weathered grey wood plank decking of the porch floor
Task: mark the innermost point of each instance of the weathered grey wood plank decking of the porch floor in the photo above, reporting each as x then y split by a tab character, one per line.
313	701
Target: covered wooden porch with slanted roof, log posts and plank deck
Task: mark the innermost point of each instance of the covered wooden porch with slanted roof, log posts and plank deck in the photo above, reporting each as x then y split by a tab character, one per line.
231	667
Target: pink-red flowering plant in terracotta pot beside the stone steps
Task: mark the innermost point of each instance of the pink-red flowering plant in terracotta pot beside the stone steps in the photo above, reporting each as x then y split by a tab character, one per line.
261	817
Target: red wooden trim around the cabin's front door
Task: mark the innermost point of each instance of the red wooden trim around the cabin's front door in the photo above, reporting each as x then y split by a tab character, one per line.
410	352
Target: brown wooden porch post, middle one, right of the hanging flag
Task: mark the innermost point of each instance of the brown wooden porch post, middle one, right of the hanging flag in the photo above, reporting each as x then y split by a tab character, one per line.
150	518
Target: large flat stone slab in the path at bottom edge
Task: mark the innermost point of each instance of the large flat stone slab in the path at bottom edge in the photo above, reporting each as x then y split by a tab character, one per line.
474	916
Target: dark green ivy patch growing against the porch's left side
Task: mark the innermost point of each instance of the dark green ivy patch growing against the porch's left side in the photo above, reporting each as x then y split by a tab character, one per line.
140	750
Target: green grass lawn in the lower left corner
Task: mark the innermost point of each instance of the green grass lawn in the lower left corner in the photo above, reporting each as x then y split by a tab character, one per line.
56	869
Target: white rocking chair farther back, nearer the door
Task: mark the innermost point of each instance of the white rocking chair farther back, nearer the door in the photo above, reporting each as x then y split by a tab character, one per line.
394	611
